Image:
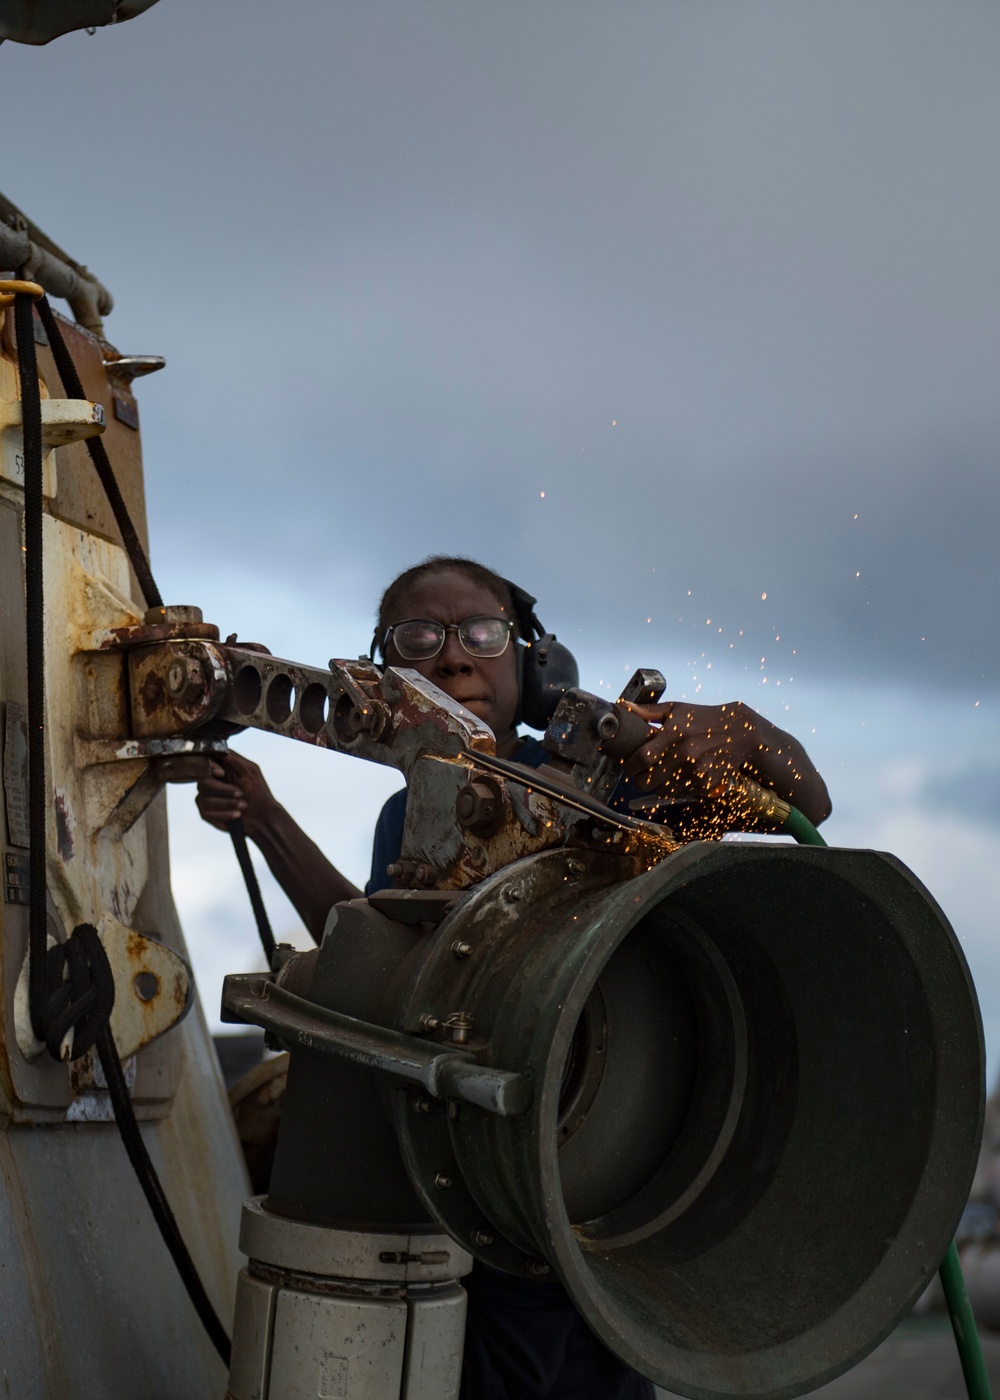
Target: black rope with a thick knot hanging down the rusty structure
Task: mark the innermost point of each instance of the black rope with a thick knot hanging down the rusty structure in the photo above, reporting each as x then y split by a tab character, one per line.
72	988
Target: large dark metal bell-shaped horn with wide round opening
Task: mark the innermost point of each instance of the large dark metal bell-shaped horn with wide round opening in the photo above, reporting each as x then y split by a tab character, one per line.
757	1100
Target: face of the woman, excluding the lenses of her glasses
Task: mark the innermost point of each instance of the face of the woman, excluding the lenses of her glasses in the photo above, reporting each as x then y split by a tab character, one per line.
484	685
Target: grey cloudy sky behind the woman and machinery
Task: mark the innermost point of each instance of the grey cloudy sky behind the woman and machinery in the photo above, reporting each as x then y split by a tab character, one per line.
719	279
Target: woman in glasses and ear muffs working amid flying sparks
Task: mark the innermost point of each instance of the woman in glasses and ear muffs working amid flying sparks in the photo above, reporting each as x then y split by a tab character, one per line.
453	621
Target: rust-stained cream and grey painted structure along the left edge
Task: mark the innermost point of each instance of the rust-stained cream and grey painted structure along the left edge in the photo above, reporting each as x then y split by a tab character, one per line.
90	1301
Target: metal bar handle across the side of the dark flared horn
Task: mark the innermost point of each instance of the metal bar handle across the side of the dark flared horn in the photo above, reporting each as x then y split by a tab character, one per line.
445	1073
